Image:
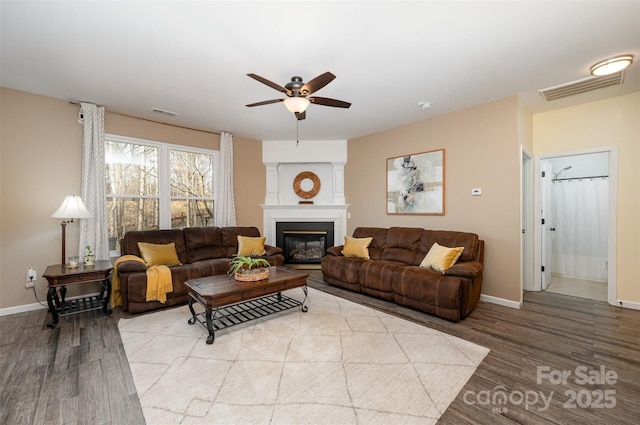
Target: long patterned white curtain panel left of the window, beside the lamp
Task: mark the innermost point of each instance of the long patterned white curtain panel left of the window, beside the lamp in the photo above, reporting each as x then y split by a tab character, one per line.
93	231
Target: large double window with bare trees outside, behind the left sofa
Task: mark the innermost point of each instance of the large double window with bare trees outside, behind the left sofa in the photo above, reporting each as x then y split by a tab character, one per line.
152	185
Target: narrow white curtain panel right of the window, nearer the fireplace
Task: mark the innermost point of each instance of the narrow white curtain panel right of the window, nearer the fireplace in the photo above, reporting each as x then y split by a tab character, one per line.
225	209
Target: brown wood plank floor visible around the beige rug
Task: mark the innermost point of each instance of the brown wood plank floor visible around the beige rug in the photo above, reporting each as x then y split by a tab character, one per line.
78	373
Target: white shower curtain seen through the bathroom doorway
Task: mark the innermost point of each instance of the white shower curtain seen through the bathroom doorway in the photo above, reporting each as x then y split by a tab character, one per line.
580	209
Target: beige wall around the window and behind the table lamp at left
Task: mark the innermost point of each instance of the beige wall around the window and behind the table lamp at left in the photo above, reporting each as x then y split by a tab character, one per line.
40	154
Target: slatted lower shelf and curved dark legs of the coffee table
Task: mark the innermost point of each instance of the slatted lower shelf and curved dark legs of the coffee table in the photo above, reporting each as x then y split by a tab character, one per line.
242	312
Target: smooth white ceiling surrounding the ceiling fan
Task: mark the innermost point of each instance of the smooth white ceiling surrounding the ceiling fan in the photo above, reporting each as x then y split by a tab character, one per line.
193	57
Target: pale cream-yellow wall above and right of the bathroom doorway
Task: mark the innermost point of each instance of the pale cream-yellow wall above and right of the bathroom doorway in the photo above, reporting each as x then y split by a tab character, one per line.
611	122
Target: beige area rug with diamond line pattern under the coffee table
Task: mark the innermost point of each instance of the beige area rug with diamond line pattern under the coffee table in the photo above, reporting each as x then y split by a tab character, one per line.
339	363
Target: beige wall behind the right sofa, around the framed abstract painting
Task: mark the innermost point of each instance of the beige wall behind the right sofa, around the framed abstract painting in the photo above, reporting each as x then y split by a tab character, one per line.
482	150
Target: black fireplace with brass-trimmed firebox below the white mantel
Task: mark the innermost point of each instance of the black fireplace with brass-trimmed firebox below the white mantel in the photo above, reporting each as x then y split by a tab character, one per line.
304	243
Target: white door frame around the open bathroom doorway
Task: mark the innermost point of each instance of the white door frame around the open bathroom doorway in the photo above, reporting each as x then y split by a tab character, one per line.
613	211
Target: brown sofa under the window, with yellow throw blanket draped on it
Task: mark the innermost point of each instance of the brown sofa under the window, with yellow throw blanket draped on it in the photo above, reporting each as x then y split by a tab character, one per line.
203	251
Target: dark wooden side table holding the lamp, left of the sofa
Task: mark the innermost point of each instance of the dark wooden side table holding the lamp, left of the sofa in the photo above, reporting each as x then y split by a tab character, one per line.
60	276
